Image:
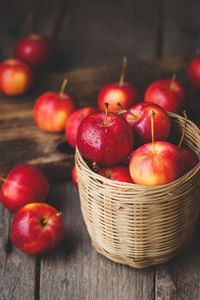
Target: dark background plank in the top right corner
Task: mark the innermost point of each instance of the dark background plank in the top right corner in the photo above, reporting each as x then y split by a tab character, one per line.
181	26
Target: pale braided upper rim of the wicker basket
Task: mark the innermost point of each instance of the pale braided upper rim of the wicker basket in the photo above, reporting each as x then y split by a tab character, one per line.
125	185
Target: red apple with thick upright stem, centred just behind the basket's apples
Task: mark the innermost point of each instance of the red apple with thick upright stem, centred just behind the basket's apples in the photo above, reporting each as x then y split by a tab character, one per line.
124	92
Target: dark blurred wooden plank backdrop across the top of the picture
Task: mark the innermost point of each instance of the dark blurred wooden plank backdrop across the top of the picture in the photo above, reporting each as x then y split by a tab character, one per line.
93	33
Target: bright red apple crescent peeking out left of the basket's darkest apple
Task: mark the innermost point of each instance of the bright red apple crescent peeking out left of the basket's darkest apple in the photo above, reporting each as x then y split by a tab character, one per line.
74	121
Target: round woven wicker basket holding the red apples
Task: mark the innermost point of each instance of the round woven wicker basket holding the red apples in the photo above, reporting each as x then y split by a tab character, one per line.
137	225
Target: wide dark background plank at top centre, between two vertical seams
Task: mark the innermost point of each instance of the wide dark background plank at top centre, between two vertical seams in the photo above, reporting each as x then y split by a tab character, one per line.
96	33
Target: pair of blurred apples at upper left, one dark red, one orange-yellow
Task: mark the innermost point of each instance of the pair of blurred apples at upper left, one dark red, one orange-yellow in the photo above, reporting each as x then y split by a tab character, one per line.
31	53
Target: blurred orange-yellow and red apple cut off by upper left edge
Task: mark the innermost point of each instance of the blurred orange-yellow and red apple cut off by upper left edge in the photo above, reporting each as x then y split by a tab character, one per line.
15	77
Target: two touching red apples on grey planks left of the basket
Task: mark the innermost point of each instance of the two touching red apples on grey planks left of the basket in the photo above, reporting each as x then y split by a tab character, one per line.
37	227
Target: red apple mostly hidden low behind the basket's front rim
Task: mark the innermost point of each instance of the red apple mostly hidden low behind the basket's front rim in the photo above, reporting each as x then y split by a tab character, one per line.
116	173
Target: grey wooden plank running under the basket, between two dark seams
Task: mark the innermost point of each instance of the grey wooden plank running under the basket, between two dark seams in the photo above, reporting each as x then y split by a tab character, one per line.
77	271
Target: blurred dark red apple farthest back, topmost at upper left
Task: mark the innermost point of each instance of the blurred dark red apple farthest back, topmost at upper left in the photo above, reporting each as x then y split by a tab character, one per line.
35	49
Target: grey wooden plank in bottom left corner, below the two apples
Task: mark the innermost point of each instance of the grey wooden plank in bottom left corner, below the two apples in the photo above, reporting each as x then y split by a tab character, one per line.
17	270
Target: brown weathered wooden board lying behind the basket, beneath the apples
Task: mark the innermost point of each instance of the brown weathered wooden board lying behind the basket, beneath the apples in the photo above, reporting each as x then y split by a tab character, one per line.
21	141
